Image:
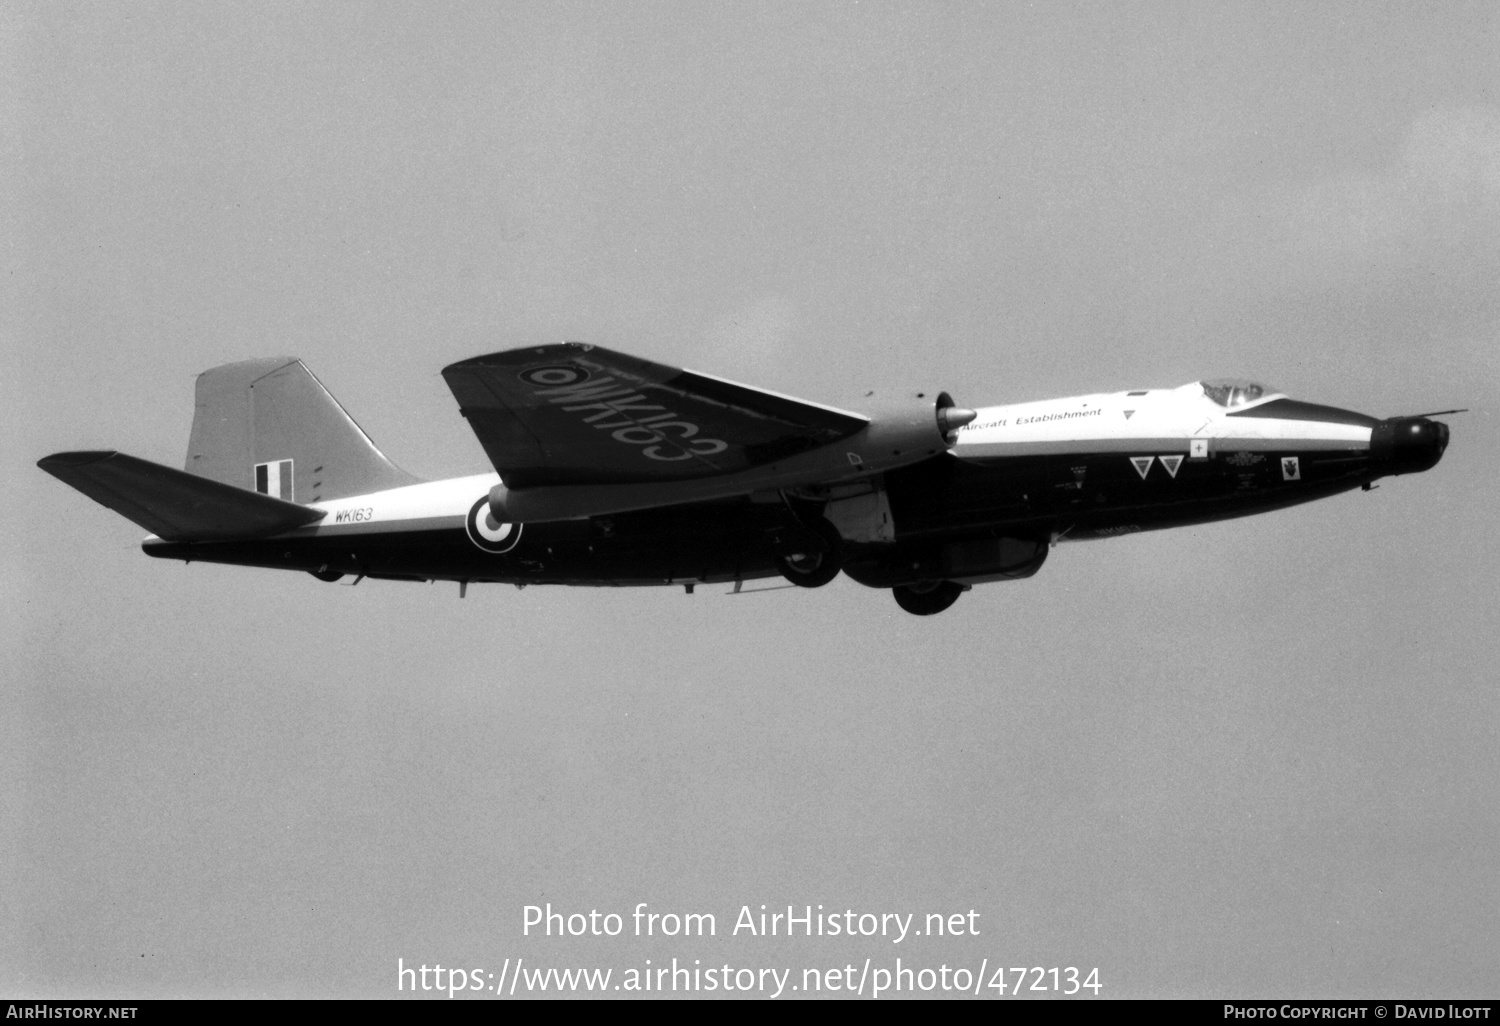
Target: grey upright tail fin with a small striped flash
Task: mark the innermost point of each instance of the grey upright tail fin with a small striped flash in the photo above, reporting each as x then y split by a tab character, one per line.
271	427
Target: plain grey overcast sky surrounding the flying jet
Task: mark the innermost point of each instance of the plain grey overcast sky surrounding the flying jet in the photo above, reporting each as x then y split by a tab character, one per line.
1250	758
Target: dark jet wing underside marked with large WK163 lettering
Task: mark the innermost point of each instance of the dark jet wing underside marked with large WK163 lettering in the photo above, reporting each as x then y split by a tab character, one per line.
581	415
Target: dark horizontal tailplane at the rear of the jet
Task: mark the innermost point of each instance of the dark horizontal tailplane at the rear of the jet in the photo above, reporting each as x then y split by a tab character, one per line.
173	505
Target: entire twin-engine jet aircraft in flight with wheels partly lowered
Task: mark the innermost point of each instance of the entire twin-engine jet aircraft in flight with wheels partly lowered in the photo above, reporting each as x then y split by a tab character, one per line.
611	470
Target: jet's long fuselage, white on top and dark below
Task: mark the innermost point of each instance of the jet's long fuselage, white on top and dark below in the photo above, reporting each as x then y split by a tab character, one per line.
1018	479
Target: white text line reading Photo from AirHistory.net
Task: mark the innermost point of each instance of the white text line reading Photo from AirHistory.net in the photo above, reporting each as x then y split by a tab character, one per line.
805	922
